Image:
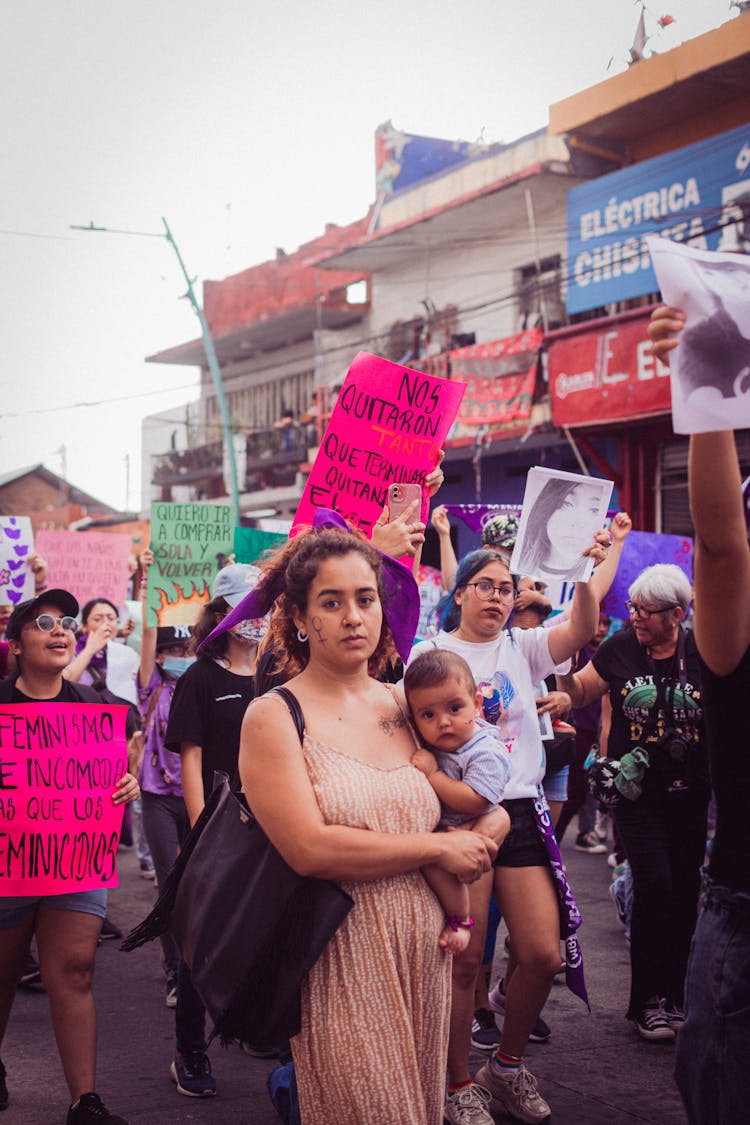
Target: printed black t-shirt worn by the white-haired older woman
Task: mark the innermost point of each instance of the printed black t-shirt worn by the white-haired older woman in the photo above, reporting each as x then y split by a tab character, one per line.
638	719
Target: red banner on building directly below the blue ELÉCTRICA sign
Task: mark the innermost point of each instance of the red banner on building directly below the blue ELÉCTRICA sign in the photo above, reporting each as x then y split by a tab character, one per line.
607	372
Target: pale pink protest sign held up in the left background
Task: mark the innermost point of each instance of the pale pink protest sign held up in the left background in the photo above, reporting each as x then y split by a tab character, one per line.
91	564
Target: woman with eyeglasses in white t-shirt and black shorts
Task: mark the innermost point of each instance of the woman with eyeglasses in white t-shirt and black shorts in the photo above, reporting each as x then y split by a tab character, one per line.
508	664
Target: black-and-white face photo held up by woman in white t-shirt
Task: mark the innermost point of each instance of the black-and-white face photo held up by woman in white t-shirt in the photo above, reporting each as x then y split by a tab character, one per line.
562	514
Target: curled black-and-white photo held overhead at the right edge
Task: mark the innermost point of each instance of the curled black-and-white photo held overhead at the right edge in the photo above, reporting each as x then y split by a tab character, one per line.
710	368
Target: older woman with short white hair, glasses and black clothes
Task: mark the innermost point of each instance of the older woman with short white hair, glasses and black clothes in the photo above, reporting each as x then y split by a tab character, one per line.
661	793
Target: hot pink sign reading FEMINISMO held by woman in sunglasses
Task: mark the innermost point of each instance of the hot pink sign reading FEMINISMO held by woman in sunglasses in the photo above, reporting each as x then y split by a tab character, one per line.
59	829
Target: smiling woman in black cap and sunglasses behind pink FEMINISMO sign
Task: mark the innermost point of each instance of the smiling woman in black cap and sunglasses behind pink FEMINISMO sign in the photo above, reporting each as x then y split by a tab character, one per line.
42	637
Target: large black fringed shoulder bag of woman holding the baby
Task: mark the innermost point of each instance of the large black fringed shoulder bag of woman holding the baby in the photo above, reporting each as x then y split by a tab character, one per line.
249	928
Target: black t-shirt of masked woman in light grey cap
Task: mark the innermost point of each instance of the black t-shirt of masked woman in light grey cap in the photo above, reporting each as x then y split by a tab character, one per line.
209	707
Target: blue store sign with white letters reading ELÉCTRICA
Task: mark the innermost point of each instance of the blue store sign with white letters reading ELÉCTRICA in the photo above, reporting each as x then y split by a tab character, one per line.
699	195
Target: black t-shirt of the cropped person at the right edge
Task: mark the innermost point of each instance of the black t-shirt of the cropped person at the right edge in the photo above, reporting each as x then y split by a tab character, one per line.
726	704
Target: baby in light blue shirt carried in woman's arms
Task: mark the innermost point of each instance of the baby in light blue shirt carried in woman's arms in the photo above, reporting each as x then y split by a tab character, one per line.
466	763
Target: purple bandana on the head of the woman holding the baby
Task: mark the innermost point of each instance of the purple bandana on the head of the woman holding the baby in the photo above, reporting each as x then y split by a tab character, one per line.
401	608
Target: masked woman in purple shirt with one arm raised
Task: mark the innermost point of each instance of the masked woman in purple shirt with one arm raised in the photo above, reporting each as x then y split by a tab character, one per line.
164	660
